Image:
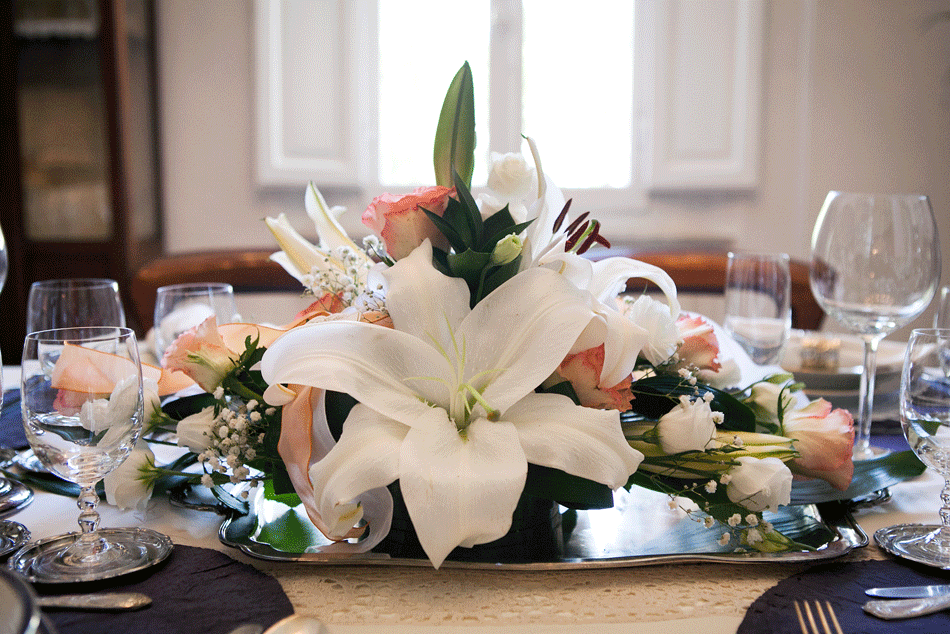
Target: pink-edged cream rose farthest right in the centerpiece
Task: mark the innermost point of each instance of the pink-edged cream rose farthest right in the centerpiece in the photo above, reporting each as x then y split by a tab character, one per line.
824	437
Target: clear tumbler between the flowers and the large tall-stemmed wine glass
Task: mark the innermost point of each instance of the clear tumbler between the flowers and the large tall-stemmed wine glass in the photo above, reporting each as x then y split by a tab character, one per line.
758	303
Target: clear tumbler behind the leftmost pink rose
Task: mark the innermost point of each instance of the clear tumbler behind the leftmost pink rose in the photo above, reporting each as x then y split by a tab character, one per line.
180	307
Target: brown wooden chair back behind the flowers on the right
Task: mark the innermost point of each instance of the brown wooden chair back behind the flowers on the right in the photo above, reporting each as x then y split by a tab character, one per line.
704	273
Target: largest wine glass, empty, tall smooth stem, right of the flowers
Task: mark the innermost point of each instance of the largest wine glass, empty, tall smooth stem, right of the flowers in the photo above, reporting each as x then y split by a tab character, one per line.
875	267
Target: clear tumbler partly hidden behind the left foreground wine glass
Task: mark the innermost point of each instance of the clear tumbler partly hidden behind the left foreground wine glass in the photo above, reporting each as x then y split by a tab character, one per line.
71	303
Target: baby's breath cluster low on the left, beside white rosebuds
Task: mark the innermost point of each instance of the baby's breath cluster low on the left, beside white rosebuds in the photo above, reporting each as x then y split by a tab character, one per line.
233	437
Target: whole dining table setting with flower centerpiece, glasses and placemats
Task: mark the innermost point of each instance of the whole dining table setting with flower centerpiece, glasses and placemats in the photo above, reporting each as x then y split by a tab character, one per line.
474	426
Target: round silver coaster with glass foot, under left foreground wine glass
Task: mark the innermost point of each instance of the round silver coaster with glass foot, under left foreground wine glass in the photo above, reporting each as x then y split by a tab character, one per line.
121	551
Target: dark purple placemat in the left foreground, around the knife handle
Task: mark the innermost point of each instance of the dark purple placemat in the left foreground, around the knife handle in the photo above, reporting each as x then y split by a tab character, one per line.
195	590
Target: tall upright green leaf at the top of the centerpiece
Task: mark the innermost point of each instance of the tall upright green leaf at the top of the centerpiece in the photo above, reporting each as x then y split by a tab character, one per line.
455	134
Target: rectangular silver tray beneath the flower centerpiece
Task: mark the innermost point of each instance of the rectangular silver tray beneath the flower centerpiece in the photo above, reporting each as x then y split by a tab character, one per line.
640	530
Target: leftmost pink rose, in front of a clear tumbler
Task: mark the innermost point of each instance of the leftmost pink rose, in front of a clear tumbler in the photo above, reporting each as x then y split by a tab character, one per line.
201	354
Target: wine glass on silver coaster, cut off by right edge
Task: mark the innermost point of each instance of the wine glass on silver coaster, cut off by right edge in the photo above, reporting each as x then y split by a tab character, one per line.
925	417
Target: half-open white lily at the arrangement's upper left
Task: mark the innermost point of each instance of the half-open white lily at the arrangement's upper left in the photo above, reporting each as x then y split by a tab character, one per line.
300	257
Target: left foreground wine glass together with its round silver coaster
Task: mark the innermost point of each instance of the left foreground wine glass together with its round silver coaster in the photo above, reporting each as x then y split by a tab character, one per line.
82	420
